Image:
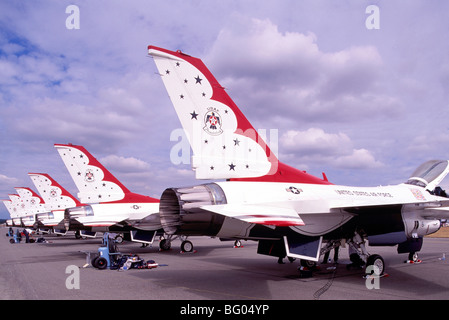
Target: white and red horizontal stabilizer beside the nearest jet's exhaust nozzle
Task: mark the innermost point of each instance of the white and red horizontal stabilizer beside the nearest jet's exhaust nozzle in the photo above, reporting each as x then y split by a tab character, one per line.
266	215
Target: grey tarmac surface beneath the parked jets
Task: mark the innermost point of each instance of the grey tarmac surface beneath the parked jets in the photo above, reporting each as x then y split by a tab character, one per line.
216	271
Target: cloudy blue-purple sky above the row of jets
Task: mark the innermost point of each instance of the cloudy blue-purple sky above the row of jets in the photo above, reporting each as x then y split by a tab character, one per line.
355	89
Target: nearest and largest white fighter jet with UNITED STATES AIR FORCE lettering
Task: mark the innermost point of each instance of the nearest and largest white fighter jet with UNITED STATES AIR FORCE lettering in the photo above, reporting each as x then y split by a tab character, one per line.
288	211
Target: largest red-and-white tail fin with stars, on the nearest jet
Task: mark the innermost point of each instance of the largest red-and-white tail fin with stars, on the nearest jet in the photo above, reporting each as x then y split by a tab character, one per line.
224	143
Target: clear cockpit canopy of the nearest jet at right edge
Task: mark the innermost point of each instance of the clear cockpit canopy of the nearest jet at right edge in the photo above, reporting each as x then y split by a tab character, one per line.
429	174
